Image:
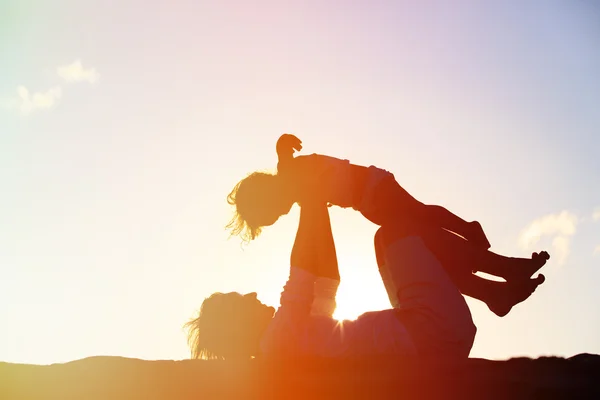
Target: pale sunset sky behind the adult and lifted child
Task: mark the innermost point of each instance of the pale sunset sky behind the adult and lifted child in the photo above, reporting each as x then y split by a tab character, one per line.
123	128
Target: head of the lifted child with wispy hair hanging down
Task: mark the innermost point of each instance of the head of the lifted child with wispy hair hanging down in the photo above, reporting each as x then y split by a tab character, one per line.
259	200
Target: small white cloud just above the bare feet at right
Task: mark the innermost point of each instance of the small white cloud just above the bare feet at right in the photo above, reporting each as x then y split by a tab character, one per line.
560	227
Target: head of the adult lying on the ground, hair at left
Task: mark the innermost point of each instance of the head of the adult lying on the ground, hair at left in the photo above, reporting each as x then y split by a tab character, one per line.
229	326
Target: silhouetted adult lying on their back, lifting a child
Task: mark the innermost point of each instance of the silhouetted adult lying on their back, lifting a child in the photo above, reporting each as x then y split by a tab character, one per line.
428	317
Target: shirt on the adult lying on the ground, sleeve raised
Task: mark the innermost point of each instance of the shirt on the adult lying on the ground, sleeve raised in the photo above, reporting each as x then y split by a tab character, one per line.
303	325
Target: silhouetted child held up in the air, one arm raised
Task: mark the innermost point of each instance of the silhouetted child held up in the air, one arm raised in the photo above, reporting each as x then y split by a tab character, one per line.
261	198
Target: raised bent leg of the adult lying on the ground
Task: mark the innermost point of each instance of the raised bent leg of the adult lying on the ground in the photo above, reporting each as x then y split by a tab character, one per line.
428	303
